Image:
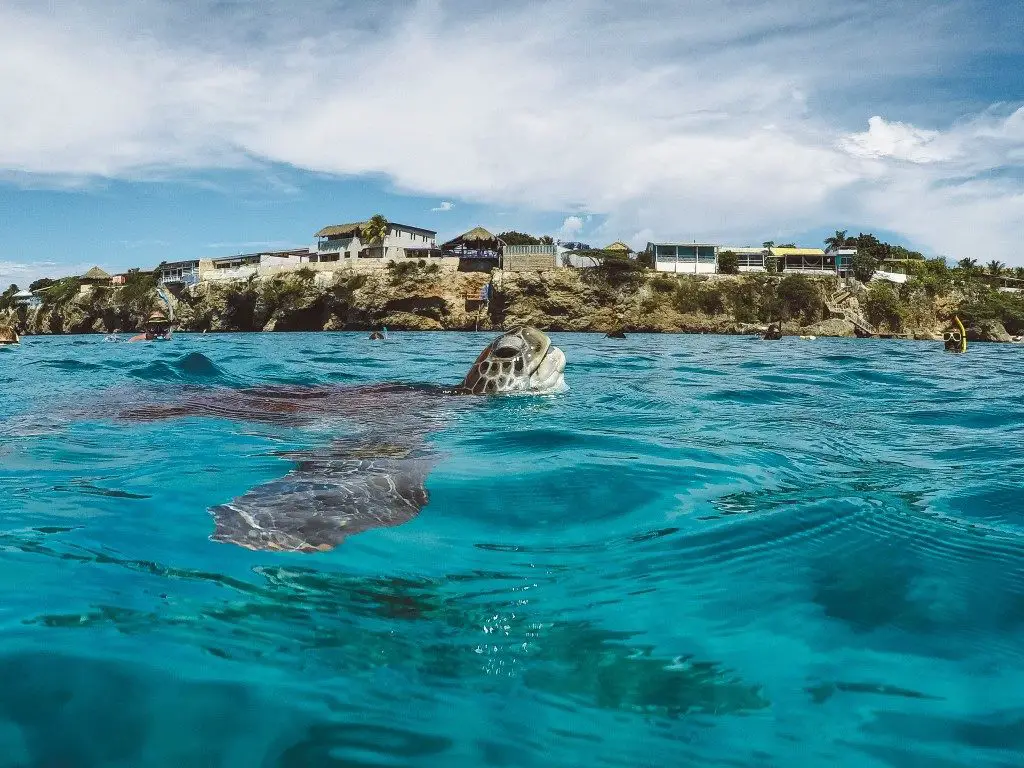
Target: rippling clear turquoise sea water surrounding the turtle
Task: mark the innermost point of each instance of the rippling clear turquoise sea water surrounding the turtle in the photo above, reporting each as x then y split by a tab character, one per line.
709	551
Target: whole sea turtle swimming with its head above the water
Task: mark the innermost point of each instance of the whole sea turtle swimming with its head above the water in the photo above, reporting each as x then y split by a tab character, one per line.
375	479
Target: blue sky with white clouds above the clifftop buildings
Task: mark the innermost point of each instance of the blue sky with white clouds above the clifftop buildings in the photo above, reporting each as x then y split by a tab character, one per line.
134	133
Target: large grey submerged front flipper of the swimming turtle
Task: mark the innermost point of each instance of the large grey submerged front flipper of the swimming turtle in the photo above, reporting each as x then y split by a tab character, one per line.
331	495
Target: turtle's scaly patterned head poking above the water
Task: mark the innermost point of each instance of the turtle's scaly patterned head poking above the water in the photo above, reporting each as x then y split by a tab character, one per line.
521	361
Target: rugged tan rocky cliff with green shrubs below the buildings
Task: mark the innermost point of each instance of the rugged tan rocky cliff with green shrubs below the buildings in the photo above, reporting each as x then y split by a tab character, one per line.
413	296
